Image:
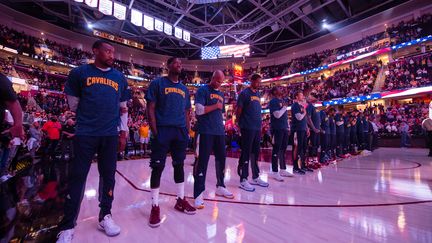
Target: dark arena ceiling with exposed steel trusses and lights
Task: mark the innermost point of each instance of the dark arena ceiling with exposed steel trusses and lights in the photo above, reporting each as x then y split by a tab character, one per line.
267	25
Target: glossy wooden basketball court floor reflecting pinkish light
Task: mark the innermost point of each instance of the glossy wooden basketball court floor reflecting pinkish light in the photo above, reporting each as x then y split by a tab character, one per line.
382	197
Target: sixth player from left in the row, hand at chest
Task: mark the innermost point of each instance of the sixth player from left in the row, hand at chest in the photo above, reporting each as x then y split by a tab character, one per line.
299	132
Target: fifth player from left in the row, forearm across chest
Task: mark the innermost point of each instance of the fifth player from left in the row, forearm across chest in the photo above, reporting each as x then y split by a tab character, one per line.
279	130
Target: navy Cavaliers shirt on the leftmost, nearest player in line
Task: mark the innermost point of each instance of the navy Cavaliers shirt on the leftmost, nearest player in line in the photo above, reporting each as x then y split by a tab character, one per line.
100	93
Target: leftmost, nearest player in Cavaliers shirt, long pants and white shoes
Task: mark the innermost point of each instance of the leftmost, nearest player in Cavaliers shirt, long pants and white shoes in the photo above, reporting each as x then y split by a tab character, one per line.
97	92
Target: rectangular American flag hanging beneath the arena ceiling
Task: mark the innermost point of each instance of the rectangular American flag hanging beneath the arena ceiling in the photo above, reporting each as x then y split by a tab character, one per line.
214	52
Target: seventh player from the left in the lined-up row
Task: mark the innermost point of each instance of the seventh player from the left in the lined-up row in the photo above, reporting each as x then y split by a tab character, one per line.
314	124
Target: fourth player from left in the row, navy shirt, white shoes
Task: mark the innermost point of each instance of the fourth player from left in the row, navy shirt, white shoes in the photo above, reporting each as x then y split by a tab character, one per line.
248	114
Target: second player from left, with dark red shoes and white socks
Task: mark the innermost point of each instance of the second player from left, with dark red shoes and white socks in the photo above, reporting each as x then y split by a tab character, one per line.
168	108
